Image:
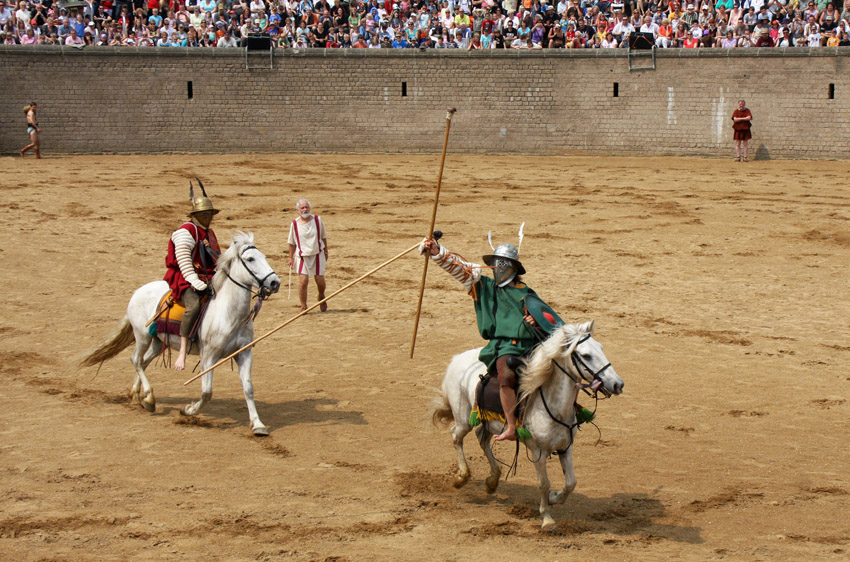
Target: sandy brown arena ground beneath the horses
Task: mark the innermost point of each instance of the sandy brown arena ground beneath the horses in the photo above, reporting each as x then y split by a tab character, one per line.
718	290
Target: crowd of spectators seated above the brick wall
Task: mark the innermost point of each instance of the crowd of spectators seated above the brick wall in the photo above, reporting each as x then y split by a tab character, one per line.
440	24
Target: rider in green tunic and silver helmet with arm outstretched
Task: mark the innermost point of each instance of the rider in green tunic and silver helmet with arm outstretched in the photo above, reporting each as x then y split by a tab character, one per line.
500	312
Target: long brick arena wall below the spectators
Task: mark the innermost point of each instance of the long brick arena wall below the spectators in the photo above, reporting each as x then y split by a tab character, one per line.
137	100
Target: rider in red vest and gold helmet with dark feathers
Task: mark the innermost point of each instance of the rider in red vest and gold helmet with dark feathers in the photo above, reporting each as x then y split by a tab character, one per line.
192	254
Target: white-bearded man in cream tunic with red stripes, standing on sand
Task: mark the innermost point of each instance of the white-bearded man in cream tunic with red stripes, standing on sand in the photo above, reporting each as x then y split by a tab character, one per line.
308	251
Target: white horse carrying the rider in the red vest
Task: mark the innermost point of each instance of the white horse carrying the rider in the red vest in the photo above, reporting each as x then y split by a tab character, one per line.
227	326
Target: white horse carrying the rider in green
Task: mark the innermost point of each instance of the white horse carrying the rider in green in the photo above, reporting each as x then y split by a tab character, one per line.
549	385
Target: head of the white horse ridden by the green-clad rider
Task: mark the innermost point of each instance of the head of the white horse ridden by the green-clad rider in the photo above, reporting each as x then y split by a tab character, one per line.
584	358
